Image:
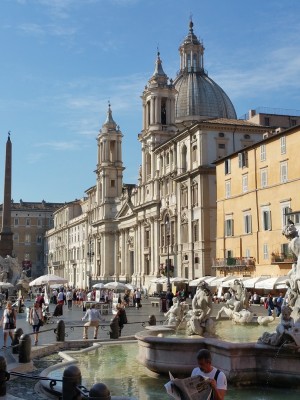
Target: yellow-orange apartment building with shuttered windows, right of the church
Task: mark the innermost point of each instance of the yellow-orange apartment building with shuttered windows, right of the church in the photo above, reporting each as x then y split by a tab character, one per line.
257	192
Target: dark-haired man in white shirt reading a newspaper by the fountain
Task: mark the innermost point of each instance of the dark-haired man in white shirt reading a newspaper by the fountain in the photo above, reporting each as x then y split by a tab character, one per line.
217	378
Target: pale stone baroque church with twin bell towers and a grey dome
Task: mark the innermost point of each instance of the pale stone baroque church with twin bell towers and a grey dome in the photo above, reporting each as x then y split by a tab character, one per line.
127	232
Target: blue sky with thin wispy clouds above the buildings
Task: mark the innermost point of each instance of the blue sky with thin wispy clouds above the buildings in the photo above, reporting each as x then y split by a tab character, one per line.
63	60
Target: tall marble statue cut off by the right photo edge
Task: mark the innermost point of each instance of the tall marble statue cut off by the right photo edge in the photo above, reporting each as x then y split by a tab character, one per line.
288	331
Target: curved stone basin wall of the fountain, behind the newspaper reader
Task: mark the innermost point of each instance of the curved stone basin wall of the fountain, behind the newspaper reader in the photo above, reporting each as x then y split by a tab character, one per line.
244	364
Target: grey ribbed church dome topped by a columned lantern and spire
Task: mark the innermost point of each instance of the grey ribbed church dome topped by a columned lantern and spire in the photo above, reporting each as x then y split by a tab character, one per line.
198	95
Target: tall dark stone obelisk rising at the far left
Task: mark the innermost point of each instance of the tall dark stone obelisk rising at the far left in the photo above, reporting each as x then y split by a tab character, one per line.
6	235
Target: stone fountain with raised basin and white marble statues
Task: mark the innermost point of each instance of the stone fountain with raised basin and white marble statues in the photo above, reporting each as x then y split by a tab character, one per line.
243	363
